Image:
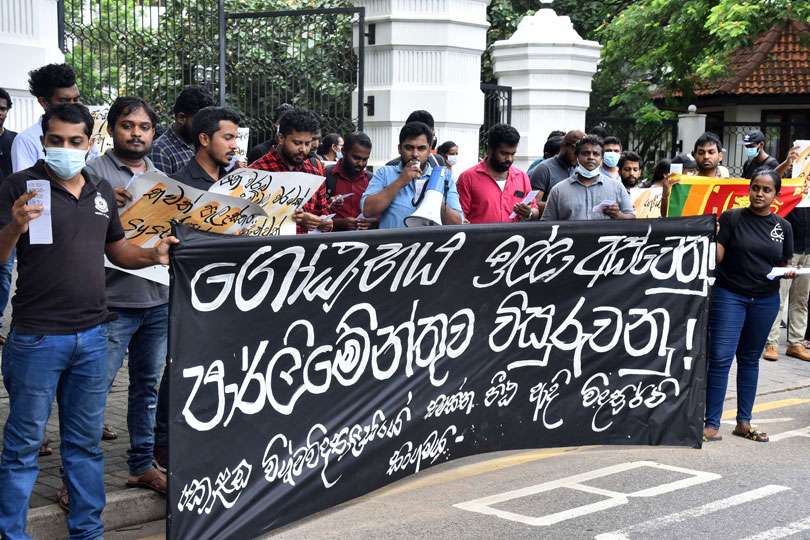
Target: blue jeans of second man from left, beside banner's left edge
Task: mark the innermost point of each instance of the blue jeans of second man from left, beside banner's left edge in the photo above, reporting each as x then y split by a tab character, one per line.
144	332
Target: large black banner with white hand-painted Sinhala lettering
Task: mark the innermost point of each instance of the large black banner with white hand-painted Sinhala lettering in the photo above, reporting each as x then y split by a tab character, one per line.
309	370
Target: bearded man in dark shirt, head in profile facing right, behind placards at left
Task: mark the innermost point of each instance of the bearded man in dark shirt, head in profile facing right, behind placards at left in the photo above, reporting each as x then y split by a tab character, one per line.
215	131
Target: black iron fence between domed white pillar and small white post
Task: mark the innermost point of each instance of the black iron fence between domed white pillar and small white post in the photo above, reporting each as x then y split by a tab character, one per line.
652	142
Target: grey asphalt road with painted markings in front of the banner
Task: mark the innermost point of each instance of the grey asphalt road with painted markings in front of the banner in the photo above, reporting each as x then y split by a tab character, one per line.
731	489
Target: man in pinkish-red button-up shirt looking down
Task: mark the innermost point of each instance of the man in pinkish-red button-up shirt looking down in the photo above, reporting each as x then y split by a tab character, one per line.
493	191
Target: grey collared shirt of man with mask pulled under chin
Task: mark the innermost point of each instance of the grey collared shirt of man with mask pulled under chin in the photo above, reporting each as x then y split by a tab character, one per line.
571	200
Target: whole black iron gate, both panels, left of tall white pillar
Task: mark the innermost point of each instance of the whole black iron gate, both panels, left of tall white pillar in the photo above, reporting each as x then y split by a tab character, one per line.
153	48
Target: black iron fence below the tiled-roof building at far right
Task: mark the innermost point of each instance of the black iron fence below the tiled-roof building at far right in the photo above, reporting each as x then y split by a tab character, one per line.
779	137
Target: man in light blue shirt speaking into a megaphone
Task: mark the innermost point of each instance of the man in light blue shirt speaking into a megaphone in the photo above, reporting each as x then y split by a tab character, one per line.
415	191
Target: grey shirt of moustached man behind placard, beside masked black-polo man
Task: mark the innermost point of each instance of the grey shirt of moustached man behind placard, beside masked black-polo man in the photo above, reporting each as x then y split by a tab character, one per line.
126	290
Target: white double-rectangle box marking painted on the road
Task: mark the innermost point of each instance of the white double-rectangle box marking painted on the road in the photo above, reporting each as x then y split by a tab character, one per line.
485	505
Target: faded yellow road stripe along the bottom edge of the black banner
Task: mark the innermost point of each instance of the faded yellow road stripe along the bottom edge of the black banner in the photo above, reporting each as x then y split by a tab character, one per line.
474	469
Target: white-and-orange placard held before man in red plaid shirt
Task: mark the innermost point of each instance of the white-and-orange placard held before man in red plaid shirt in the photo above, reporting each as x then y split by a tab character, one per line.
280	194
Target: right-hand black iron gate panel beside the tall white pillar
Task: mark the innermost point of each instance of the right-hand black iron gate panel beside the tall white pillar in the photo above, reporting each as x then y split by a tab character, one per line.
304	58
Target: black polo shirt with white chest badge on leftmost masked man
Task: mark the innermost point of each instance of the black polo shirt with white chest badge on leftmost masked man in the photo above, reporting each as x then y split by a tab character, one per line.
60	286
